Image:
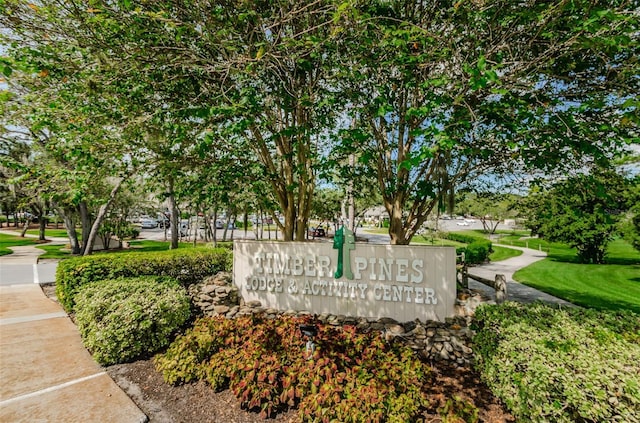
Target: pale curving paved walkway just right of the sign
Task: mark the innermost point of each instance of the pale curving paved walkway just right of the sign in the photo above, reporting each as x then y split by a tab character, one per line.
515	290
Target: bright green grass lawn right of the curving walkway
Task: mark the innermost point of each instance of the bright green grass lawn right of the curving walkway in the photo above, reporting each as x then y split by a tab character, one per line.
612	286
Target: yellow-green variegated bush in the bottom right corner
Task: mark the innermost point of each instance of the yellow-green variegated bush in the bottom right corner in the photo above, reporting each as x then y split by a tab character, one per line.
564	365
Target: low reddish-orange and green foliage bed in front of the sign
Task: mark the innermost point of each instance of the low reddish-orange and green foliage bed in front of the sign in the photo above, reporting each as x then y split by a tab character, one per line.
351	377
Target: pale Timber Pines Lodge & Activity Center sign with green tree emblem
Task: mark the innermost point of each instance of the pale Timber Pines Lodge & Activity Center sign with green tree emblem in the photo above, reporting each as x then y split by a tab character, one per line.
360	280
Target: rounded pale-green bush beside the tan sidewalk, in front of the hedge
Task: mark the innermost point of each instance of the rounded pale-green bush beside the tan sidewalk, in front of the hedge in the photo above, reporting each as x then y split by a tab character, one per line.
124	319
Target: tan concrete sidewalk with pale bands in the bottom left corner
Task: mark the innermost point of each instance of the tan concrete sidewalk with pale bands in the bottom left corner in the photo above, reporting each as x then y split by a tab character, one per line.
47	374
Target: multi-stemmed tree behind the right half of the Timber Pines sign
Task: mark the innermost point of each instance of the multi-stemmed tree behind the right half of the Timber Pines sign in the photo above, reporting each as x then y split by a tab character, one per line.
445	91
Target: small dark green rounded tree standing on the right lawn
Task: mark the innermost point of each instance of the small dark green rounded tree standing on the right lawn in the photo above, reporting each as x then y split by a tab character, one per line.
582	211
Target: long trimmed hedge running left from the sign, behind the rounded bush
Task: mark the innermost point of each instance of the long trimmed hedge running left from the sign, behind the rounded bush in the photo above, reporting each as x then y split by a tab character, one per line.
188	266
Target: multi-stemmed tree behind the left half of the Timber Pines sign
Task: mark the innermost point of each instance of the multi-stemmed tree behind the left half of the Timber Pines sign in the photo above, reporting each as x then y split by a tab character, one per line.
259	70
